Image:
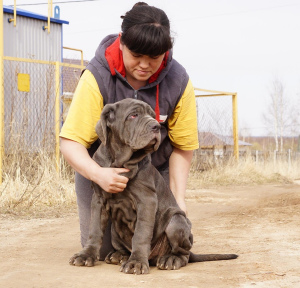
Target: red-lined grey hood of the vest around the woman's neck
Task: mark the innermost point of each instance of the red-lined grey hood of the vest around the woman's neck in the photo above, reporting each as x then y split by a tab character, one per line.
110	56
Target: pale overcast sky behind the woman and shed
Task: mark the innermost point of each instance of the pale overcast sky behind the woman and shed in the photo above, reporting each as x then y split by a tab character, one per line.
228	45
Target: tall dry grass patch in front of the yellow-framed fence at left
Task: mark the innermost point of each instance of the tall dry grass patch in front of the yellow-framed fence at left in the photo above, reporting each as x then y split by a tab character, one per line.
31	185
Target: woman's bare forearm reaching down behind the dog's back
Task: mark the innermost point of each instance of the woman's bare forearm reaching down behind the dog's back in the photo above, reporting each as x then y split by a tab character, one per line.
179	167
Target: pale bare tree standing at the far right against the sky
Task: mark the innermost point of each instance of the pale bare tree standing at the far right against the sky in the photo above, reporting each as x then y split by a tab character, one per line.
277	117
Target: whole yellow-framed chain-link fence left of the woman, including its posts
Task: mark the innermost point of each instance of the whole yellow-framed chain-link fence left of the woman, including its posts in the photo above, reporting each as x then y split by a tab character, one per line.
36	97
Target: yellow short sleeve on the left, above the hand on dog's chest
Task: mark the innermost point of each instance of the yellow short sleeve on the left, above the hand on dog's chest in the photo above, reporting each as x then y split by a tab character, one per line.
84	111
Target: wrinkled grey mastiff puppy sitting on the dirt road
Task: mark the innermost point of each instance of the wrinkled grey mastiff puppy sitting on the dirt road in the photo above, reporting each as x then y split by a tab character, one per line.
147	224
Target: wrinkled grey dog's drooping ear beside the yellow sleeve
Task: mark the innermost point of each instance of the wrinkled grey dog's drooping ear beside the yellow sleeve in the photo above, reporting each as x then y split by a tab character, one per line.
107	116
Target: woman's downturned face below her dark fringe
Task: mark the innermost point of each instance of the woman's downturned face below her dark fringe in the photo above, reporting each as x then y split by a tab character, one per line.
139	68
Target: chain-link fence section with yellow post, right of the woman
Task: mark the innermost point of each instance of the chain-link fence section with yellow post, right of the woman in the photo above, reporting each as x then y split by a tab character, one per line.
217	128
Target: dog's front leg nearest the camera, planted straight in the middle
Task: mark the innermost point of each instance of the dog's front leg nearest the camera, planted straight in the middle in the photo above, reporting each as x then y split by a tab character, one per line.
138	262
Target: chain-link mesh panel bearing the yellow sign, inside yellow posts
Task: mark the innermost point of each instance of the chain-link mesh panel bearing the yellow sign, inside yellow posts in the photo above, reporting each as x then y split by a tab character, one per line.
29	106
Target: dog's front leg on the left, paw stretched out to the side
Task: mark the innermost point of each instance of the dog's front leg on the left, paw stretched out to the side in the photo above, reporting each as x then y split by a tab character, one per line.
99	219
